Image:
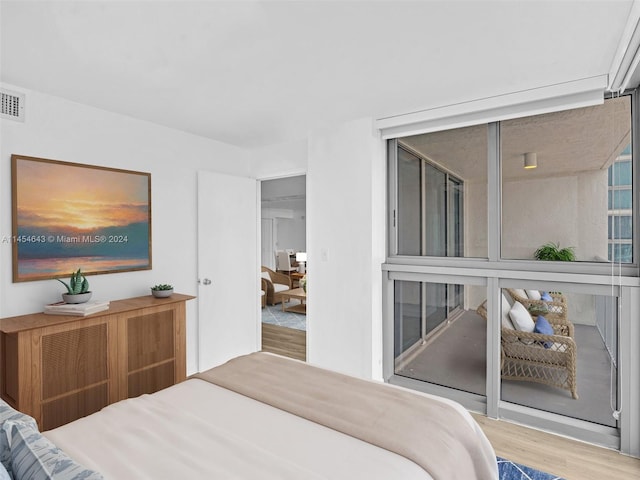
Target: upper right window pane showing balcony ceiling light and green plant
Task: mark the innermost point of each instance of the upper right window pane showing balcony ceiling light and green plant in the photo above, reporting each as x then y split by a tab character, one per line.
567	199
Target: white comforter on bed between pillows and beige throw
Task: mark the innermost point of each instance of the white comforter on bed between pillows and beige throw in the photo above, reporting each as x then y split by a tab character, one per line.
197	430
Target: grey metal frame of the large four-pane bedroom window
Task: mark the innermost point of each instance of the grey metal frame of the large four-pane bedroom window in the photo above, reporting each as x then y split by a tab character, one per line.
622	280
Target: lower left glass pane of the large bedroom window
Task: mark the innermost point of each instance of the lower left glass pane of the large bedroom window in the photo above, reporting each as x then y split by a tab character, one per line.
439	337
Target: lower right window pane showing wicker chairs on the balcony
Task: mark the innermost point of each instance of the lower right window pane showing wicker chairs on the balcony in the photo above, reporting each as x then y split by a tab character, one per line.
560	353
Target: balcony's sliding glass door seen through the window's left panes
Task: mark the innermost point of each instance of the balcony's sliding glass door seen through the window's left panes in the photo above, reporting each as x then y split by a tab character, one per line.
430	219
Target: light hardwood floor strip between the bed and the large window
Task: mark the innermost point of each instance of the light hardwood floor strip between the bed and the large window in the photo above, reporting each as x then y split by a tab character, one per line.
570	459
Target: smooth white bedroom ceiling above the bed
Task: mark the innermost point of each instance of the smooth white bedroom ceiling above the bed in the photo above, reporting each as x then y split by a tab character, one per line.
254	73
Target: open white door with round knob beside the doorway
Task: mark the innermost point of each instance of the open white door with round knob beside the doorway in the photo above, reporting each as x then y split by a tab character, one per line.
228	277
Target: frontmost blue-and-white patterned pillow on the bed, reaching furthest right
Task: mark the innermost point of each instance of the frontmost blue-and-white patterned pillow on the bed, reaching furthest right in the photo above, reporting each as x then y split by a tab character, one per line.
34	457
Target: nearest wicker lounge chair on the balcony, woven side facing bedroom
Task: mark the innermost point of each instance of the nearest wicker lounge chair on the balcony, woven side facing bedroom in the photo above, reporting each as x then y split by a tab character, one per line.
525	357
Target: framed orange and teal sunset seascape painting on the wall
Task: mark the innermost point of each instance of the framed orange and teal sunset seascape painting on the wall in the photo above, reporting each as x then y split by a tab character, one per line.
68	216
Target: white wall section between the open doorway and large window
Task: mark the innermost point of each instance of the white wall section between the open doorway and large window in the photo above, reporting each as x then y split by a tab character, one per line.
345	247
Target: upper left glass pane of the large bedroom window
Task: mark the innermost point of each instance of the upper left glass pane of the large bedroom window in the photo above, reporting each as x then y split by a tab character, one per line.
442	193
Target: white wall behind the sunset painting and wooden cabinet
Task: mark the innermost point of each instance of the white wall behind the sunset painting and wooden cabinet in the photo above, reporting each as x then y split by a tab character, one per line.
62	130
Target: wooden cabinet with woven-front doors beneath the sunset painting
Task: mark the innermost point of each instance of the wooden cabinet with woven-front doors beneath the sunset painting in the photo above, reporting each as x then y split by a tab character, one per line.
59	368
